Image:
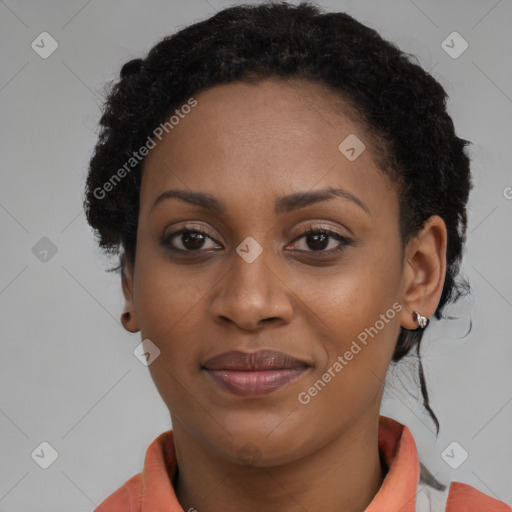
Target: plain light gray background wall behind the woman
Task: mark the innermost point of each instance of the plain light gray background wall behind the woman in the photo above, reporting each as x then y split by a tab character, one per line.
68	373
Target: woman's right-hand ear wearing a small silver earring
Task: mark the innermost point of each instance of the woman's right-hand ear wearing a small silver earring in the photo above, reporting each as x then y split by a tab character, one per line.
424	271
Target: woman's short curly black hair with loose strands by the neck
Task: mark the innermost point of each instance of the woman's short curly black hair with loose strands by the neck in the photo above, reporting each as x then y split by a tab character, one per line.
401	105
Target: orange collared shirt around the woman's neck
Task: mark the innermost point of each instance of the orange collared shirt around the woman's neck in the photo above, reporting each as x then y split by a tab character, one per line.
405	488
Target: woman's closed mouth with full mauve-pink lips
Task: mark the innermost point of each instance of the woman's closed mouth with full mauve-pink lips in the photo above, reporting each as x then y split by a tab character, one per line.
254	374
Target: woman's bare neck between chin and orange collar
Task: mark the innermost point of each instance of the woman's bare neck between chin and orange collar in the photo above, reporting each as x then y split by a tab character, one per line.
345	474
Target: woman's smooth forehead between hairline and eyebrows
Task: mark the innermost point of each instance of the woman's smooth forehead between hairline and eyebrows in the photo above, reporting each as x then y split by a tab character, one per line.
272	136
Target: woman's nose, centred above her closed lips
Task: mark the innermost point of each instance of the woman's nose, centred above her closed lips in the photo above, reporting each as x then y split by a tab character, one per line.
251	295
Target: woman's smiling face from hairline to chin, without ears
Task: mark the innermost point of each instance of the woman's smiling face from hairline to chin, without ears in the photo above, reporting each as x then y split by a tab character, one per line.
241	273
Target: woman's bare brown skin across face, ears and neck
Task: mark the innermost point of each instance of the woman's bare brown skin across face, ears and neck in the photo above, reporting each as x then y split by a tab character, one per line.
246	145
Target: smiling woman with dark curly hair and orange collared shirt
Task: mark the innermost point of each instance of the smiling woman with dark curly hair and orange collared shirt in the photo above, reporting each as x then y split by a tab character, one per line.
287	195
